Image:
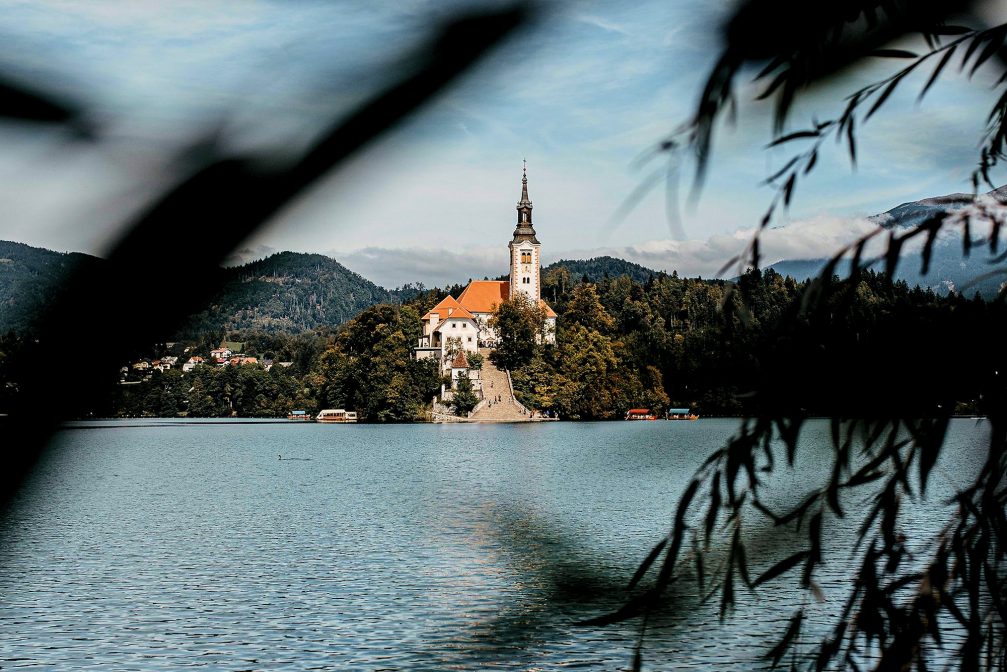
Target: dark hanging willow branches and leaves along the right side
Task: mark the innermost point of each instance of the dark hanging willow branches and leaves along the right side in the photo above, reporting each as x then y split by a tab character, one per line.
892	404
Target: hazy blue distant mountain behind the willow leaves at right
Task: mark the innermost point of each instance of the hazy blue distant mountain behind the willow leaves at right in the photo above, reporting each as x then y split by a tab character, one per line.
950	270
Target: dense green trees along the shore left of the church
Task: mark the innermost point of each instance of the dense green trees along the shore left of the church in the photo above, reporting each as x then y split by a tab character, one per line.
366	367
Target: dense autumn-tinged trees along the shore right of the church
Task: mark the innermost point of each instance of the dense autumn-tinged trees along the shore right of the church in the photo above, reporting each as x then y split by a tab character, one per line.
707	345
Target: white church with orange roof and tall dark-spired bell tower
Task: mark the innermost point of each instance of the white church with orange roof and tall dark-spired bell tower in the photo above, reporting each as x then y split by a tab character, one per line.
464	324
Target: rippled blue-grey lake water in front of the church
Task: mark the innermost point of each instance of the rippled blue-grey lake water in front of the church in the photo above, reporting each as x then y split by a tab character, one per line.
172	545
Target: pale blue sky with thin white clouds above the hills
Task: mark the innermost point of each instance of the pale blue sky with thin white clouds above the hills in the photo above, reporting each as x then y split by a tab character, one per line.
583	95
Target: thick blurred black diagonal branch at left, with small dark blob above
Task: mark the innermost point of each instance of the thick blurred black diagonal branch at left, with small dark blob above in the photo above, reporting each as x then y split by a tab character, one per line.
242	190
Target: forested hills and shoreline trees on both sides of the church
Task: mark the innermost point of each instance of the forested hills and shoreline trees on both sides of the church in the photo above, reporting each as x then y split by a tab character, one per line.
627	337
